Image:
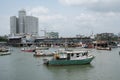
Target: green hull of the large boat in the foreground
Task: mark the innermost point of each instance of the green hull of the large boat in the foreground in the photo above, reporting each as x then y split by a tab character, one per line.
70	62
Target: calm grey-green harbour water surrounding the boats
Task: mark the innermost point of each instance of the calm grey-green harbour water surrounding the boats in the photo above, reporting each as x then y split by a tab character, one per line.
23	66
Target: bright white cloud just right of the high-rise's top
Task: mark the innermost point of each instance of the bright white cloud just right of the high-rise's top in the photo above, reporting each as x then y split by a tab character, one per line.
44	14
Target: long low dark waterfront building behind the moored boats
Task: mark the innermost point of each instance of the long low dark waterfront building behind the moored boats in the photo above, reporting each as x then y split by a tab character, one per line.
71	42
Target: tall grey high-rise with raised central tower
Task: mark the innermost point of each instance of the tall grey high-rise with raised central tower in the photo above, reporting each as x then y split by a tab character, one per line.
23	24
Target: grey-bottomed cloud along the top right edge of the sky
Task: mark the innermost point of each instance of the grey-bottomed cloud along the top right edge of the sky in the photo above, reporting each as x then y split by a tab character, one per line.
95	5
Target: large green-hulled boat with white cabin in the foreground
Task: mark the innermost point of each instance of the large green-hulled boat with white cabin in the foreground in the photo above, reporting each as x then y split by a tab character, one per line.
70	58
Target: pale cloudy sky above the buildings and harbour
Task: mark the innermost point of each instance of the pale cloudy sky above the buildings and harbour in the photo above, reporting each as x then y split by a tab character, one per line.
68	17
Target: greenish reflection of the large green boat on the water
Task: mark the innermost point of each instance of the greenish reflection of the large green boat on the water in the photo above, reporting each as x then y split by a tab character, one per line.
75	72
